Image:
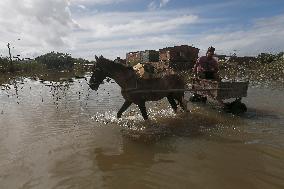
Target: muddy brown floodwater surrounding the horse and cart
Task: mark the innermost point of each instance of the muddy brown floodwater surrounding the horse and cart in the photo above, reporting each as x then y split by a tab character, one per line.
63	135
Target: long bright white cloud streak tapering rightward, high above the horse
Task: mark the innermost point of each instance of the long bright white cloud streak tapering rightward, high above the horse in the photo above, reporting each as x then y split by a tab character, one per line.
133	25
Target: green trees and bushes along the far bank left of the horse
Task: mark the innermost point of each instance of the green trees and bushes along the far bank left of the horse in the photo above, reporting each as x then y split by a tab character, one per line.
51	66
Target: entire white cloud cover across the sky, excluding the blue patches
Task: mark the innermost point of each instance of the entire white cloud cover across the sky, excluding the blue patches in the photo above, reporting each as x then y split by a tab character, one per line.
49	25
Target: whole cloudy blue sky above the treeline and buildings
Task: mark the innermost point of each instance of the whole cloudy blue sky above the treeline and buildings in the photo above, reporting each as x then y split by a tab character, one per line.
85	28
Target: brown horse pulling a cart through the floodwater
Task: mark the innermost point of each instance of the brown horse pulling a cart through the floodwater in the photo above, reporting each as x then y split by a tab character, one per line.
127	79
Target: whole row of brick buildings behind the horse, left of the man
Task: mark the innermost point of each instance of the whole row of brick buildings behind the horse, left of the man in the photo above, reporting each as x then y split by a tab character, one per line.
178	57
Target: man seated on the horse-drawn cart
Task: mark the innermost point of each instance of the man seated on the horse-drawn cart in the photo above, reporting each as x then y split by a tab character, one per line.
206	67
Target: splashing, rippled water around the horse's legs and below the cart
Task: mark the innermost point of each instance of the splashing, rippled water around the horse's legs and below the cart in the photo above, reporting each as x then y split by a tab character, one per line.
164	123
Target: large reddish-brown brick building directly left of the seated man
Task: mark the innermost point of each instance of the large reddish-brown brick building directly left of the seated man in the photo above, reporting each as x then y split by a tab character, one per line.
179	57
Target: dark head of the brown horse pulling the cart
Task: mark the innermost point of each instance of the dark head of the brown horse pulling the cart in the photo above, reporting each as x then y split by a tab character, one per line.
99	74
